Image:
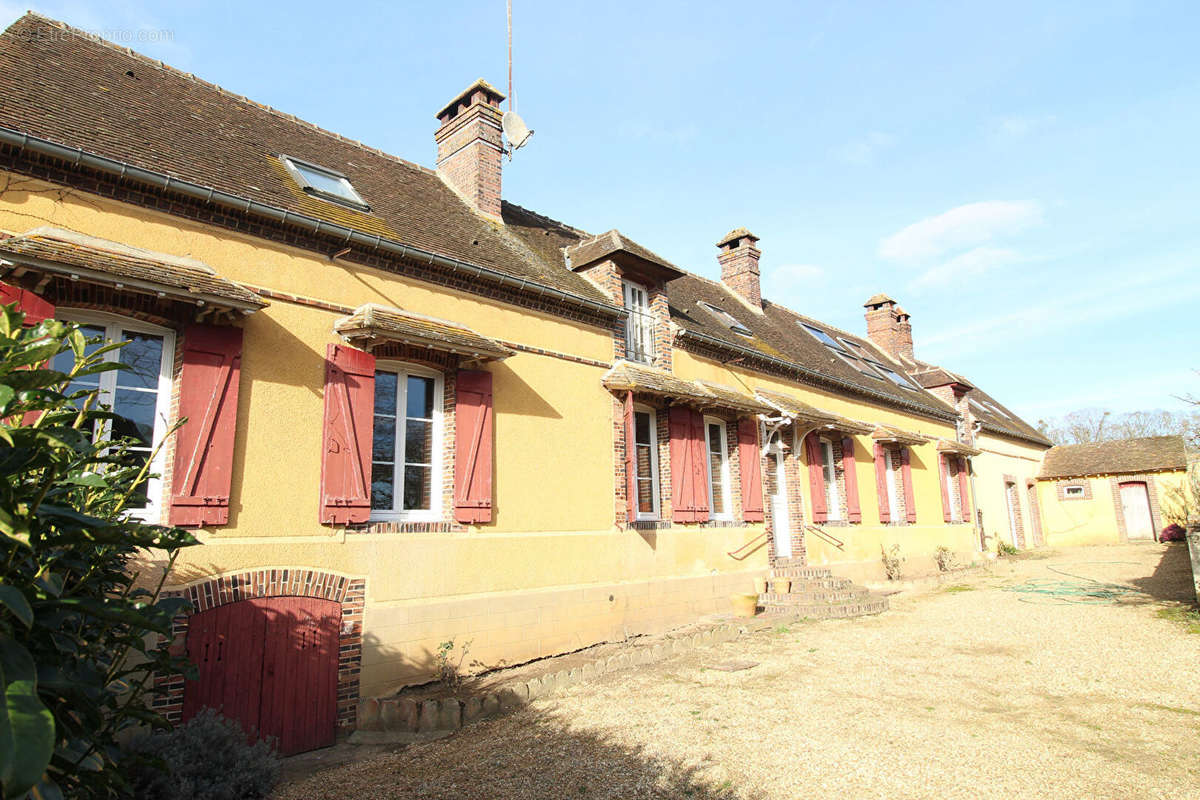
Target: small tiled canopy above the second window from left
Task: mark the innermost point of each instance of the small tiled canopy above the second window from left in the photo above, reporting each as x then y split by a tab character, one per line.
375	323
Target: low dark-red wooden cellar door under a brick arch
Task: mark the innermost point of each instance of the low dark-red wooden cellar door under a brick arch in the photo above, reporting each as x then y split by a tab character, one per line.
272	665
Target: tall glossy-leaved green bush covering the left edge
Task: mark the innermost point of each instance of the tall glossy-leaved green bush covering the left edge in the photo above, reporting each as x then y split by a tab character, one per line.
79	624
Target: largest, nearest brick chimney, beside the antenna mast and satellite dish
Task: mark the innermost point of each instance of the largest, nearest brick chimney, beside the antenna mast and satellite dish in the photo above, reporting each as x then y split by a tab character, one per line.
471	145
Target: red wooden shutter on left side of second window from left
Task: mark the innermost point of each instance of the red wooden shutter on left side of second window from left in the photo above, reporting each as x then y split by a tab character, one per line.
350	423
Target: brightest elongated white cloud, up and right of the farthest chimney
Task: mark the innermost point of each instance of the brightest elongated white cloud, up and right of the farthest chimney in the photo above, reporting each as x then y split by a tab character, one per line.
968	226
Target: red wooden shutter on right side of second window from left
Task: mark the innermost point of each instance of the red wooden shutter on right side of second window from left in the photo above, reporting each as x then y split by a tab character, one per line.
473	449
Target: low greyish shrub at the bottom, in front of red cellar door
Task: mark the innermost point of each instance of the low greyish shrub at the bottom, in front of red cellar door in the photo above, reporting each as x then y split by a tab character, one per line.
208	759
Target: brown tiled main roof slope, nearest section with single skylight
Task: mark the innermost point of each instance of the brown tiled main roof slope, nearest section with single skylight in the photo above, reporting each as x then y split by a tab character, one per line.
73	89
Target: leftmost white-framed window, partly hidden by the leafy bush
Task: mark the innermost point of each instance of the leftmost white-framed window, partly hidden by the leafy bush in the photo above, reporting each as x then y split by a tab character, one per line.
140	394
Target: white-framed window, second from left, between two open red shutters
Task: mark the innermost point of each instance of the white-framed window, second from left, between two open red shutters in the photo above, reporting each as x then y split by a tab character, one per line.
406	454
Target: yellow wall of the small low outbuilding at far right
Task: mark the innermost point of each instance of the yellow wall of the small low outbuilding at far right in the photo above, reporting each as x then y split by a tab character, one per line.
1094	520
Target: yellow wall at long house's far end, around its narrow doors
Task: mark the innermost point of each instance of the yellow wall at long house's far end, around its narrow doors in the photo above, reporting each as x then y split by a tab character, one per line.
1005	458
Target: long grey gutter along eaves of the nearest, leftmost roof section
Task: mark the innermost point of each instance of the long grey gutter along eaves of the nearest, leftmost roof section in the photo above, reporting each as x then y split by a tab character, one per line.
123	170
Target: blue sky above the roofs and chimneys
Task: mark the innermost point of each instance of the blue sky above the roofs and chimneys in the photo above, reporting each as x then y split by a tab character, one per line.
1022	177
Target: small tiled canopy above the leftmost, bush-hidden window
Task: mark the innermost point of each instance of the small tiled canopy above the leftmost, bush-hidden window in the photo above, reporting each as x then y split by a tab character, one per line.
99	261
